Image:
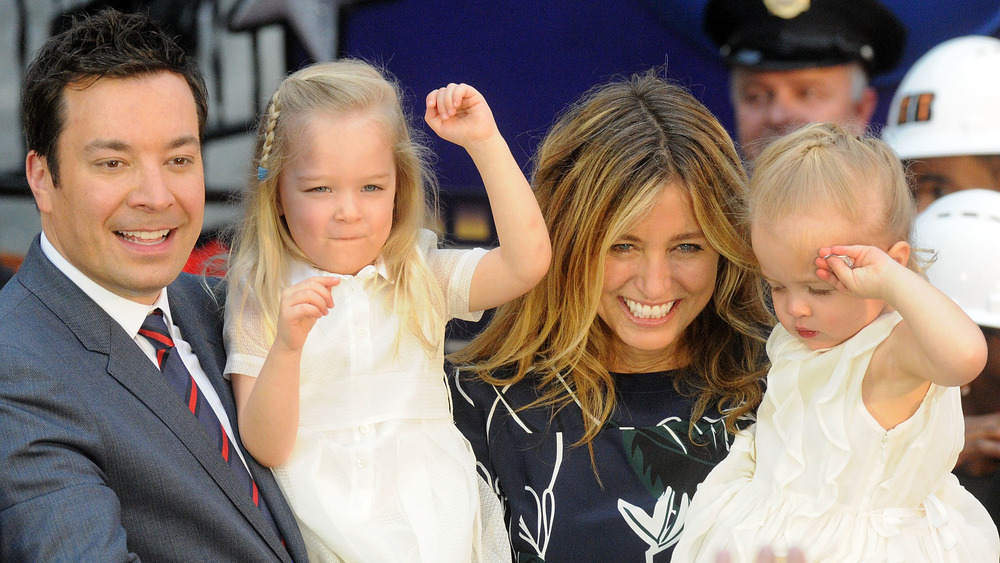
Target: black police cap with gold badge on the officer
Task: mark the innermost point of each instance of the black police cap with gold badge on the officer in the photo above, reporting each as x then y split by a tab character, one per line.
792	34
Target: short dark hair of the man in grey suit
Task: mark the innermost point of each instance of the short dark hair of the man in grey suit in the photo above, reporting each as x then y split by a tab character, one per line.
110	44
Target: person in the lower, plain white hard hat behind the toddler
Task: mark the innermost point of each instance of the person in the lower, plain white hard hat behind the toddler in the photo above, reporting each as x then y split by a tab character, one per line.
963	229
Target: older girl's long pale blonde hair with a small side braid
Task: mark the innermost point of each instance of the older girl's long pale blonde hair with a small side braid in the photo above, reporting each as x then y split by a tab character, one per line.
262	245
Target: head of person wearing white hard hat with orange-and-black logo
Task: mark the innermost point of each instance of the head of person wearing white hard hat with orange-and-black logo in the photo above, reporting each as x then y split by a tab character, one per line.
944	121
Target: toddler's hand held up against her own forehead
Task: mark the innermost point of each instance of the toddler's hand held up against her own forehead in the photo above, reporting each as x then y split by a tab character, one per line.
862	272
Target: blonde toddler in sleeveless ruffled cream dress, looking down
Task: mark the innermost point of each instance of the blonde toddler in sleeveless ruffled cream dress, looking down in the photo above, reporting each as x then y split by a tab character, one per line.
861	422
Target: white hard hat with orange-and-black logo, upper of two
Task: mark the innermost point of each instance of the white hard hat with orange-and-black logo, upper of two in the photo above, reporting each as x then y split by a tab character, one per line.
948	104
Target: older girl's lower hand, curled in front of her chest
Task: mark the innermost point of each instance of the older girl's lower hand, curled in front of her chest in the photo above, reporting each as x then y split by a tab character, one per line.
301	305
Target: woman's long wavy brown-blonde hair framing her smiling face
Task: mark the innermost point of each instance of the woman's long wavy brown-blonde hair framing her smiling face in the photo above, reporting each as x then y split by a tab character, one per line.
598	171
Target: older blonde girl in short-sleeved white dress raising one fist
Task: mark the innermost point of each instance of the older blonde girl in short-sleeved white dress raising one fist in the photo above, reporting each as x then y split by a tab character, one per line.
335	319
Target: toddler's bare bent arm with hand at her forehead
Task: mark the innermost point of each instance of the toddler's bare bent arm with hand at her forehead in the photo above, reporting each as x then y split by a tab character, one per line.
936	341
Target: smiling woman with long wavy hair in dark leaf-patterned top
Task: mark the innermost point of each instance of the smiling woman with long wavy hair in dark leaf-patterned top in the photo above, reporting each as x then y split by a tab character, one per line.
600	399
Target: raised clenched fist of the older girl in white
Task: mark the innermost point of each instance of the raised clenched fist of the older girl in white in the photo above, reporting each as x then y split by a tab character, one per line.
458	113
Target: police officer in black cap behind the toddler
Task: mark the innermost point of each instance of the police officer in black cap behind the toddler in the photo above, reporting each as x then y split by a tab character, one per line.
794	62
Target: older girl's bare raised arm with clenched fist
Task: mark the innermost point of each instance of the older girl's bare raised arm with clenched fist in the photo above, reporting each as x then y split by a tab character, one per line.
458	113
